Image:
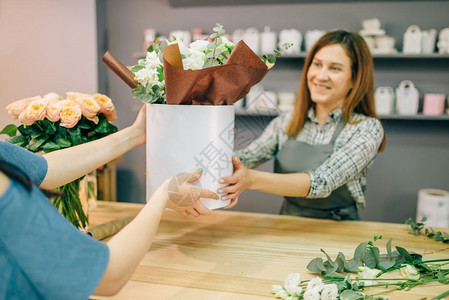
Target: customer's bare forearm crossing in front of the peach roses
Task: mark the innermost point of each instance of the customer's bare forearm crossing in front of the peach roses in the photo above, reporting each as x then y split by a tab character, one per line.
71	163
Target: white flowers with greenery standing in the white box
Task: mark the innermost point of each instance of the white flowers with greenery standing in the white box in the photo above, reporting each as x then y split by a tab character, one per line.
149	71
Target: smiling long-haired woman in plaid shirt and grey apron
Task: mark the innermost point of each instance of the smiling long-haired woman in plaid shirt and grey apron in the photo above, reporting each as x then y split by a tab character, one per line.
324	148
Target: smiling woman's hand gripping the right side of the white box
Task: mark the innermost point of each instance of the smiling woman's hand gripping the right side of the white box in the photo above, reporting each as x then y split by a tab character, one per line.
238	182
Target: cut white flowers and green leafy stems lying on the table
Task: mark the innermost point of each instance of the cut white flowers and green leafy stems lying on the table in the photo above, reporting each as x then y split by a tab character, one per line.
362	271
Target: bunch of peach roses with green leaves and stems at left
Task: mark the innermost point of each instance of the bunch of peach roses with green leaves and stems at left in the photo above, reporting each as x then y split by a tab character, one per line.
50	123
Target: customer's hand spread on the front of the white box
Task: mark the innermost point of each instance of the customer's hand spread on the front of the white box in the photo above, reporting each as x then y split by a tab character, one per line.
184	197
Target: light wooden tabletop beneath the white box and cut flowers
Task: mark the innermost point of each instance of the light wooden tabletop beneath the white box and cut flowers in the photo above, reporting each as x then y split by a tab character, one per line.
237	255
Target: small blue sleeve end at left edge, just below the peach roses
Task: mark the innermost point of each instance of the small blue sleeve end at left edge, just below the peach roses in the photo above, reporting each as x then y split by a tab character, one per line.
34	165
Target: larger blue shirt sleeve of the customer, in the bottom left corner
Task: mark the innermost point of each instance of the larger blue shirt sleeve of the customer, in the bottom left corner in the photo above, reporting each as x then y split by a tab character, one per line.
45	250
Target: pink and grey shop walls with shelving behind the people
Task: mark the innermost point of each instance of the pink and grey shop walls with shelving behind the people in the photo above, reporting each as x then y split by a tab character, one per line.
57	46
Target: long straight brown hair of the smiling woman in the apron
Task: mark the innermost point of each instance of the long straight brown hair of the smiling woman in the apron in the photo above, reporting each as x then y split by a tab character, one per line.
360	98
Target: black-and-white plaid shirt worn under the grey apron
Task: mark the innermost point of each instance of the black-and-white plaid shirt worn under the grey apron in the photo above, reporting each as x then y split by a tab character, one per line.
354	151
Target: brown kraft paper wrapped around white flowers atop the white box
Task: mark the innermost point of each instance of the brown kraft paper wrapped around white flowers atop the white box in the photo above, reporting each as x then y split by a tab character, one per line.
219	85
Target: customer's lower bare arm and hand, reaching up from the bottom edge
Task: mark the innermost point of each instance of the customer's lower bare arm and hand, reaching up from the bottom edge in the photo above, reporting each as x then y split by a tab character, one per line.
128	247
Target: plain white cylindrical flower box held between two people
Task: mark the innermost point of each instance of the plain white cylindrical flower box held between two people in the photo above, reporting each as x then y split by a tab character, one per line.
183	138
